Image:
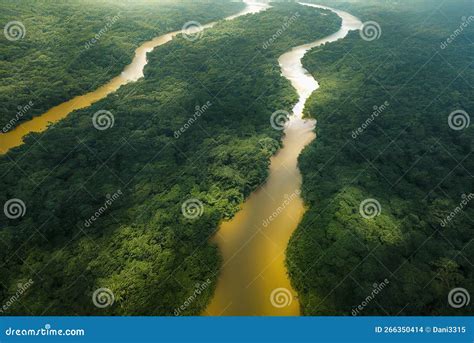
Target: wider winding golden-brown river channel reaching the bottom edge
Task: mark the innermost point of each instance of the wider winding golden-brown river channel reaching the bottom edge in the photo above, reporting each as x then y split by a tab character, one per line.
253	279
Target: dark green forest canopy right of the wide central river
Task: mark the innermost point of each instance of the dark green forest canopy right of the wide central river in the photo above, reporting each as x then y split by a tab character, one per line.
406	153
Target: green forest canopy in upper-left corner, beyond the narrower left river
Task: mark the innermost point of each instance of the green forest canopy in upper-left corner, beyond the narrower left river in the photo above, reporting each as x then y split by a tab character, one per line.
72	47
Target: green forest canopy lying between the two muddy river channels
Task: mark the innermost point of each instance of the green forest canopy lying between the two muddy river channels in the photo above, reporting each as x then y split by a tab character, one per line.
141	170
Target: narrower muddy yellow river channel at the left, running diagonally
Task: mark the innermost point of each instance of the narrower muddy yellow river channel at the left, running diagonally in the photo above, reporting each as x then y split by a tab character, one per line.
132	72
